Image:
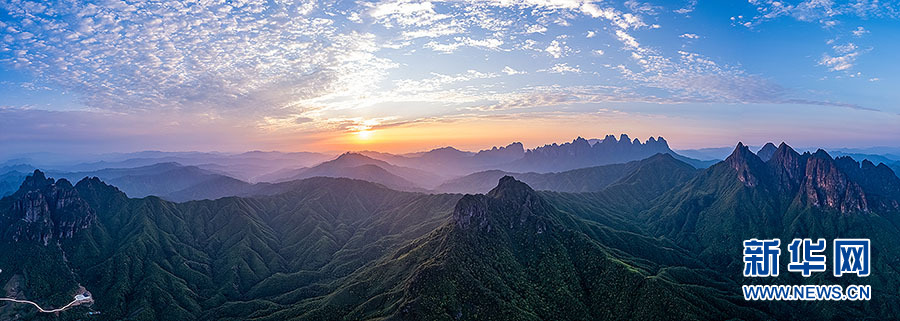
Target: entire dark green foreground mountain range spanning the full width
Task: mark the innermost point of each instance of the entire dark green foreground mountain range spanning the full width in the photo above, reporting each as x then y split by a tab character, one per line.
658	242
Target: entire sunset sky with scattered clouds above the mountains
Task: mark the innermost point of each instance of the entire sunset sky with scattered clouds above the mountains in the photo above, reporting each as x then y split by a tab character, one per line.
403	76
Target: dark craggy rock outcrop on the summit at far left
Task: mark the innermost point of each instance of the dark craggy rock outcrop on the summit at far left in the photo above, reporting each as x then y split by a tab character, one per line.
44	209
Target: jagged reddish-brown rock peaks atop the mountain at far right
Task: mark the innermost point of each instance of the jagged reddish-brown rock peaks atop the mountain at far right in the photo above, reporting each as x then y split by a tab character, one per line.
817	180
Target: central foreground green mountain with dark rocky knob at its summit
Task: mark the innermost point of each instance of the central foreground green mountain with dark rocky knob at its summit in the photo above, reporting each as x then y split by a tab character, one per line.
512	255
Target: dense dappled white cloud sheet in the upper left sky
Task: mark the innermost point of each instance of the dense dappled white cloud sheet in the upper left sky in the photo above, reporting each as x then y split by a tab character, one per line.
189	56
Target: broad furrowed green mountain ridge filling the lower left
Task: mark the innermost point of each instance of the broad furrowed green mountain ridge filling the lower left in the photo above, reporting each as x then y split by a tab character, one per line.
150	259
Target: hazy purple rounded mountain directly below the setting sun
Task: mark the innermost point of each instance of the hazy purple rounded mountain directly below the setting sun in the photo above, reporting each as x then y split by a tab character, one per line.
358	166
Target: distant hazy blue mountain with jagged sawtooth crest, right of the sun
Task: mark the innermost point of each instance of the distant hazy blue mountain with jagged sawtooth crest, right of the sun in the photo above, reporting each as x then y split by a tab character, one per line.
580	154
